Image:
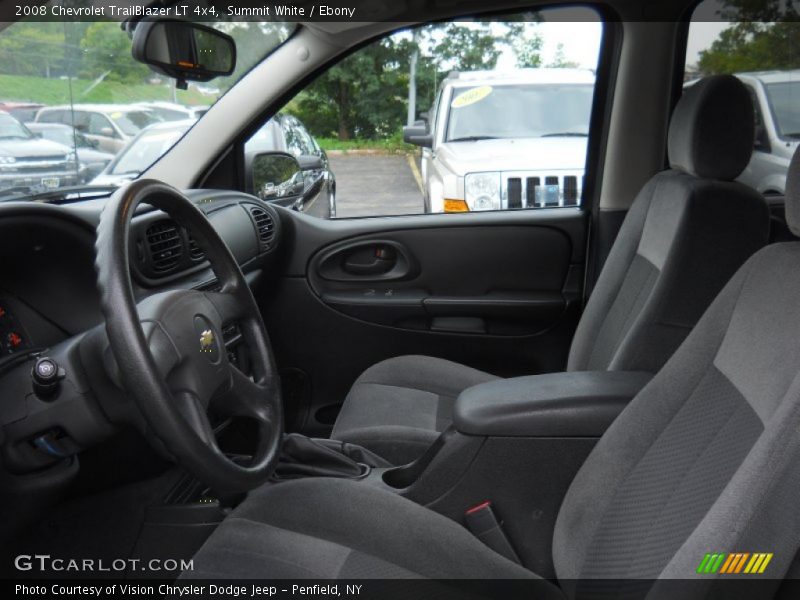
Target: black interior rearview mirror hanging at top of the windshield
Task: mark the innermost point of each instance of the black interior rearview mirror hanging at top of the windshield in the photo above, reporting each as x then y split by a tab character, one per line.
184	51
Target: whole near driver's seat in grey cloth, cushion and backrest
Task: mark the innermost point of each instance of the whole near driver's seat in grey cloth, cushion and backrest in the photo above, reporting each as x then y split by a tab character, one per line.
704	459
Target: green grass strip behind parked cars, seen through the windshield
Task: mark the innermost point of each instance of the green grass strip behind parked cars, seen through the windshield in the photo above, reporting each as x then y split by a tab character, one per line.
56	91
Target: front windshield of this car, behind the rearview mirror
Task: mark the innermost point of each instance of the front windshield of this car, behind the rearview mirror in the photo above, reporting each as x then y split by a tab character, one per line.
82	75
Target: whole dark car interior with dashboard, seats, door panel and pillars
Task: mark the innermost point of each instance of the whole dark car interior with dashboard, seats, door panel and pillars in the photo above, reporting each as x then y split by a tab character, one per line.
586	400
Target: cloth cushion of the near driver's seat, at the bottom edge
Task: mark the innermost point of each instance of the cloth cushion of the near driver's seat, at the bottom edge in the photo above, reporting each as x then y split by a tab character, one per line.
336	528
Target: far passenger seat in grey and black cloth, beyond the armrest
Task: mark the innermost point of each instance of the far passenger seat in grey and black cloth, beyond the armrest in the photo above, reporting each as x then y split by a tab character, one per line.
685	235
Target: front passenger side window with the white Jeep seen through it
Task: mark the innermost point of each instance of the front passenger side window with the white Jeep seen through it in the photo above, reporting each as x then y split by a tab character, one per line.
460	116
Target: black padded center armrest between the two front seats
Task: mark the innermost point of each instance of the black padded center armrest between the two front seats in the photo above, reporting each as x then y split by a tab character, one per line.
572	404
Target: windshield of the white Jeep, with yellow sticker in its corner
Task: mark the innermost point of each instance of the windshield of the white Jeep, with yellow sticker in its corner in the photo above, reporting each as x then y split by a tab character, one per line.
519	111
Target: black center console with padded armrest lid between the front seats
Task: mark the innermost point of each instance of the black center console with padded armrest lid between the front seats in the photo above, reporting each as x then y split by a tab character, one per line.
518	444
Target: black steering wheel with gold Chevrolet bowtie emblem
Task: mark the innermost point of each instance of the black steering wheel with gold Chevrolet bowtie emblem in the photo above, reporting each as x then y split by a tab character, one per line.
170	352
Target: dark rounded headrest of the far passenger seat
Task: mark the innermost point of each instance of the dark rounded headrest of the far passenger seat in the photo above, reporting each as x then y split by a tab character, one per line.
712	129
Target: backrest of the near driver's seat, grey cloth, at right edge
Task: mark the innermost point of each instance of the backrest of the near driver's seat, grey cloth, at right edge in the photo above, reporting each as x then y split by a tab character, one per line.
706	458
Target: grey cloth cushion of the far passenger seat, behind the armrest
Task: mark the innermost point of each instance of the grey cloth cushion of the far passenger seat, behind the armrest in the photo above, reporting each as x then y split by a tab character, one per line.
398	407
